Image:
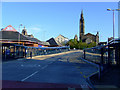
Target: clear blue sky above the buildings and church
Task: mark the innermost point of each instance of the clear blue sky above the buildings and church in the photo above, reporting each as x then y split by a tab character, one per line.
49	19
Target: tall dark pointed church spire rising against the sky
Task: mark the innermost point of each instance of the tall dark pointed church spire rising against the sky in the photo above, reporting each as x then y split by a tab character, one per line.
81	27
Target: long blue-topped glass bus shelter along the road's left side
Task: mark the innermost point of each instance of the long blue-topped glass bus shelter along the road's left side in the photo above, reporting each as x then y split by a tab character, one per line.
13	51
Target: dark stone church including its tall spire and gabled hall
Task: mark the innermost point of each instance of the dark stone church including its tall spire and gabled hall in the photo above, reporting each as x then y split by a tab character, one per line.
88	38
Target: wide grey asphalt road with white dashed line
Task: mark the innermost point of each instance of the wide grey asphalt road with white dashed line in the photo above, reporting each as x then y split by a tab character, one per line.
62	70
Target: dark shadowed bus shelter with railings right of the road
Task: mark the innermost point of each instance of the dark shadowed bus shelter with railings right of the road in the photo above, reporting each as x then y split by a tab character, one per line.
105	56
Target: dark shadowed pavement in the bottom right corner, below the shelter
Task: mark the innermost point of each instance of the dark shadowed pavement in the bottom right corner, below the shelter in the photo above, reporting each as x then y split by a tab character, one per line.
110	79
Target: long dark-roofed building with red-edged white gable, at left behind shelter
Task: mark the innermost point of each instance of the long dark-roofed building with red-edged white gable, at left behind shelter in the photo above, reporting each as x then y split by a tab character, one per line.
10	35
